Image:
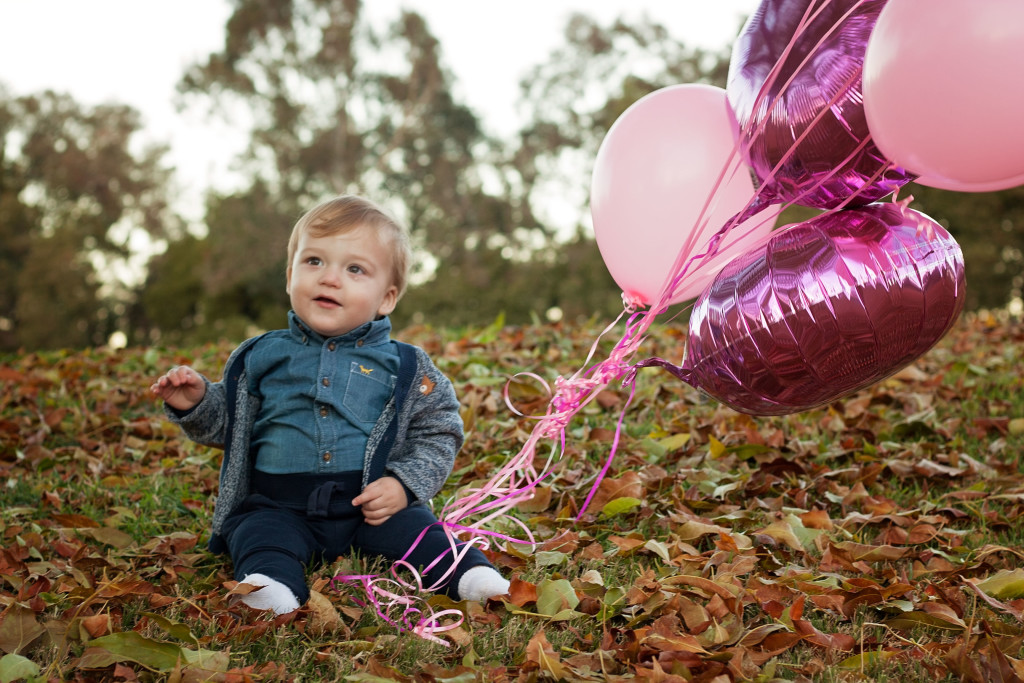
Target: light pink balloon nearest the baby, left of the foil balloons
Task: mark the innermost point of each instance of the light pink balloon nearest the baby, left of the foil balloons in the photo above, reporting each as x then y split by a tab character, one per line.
667	180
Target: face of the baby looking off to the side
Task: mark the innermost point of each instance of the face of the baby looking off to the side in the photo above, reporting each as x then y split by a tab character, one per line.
340	282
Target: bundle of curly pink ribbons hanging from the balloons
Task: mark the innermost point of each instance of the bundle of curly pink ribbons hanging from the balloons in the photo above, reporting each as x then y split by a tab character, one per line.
518	481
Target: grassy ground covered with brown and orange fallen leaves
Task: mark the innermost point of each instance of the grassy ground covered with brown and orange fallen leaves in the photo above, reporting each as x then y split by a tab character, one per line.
878	539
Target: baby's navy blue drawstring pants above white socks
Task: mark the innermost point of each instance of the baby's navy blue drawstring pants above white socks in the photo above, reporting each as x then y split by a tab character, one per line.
293	521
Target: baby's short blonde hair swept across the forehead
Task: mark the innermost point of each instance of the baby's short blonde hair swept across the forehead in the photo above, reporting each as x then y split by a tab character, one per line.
349	212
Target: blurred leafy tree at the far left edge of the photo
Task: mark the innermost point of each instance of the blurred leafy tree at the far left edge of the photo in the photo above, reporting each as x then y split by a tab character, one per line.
72	192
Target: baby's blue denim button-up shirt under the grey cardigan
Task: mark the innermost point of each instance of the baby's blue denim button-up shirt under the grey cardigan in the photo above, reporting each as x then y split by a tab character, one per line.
320	399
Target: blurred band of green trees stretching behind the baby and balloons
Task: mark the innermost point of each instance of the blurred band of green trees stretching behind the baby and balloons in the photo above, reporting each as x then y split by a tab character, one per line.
335	105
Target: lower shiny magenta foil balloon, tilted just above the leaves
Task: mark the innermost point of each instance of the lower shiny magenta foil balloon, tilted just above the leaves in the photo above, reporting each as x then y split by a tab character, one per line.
826	308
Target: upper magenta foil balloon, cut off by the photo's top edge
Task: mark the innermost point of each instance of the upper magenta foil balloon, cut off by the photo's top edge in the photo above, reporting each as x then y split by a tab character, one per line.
795	89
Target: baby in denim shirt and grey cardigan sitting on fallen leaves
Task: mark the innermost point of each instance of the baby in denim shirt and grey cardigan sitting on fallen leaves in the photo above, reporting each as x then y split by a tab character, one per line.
335	436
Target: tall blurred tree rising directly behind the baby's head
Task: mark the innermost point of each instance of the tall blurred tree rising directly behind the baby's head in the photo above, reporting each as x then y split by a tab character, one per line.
336	107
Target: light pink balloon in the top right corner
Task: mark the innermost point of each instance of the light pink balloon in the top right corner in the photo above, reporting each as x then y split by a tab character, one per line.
944	84
